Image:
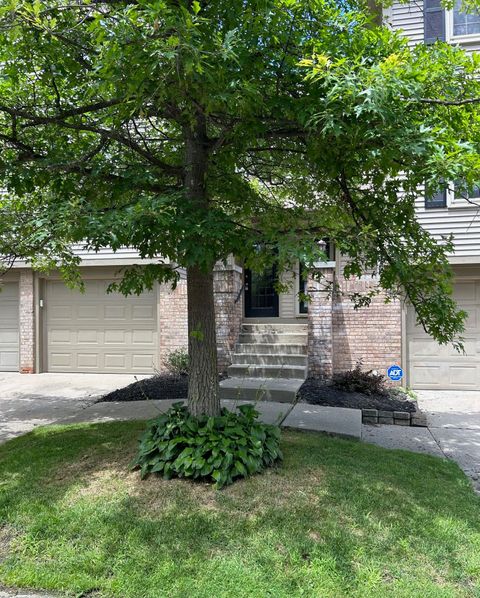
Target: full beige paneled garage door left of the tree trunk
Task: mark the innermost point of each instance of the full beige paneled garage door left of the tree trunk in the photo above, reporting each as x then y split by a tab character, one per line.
96	332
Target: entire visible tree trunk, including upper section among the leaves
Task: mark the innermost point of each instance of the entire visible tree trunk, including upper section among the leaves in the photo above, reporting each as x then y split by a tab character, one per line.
202	345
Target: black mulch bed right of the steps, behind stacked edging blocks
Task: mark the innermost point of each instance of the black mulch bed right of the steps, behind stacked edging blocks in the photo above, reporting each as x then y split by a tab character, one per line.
317	392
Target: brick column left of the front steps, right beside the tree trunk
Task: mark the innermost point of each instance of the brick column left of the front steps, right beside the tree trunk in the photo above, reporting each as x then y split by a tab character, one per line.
228	281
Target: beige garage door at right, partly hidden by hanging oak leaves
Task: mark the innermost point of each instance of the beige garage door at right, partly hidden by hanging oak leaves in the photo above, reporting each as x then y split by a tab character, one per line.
432	366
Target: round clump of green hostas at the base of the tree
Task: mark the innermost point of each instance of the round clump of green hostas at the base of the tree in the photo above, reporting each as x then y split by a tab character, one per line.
219	449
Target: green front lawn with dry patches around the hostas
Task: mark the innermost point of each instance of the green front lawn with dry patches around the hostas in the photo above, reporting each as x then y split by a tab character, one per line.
338	518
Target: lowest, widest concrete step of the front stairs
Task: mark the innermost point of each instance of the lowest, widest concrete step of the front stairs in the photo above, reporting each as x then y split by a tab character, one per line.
282	390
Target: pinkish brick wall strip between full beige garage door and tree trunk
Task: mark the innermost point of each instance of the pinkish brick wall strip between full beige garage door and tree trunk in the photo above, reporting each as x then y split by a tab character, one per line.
172	320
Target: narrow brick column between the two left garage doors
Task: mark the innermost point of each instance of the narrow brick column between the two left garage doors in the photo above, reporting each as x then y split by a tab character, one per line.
27	322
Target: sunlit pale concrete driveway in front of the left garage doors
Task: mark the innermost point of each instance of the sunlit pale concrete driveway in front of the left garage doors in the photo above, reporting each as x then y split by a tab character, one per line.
27	401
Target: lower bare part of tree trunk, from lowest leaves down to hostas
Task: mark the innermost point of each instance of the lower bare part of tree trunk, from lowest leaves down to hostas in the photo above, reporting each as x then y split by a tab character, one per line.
202	344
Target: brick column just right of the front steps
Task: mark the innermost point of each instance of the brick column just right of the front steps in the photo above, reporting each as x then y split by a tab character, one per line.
320	357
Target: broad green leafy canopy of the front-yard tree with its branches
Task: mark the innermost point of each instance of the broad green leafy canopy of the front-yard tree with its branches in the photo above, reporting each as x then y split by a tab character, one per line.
193	130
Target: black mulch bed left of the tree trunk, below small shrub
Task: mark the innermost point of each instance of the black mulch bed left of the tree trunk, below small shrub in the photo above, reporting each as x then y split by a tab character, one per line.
164	386
